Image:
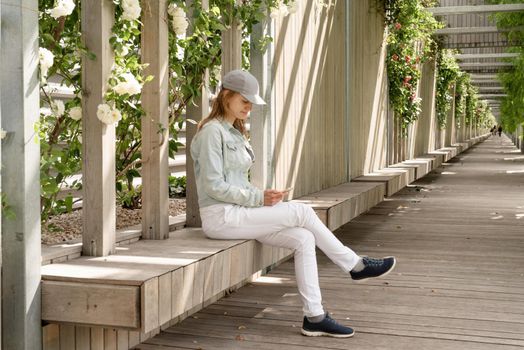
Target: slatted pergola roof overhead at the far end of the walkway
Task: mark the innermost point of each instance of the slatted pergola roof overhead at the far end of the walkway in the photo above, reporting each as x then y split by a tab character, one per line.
482	46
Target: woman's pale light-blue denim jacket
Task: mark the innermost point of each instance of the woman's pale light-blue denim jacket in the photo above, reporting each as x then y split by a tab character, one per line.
222	158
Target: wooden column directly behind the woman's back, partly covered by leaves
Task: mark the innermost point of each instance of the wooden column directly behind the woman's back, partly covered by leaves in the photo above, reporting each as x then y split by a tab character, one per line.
195	112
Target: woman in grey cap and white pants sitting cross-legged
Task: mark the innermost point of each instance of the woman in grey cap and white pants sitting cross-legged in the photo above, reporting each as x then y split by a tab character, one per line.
232	208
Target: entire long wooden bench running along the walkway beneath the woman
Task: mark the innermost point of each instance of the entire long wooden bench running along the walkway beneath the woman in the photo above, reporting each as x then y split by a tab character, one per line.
149	285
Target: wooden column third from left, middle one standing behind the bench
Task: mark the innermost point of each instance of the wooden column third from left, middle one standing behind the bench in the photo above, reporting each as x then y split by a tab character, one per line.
155	101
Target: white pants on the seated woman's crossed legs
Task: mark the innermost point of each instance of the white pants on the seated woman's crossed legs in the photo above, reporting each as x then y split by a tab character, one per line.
289	225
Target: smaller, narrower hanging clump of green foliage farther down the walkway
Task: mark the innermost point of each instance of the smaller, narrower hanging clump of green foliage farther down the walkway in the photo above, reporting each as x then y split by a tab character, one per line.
447	73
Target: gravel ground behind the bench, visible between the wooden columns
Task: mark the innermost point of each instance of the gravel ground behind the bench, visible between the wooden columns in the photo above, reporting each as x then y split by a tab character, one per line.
67	227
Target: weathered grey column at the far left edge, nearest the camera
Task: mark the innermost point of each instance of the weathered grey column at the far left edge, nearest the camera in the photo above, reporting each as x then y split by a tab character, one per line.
21	247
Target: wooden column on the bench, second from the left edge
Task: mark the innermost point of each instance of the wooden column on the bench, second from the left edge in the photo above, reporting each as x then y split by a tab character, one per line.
99	139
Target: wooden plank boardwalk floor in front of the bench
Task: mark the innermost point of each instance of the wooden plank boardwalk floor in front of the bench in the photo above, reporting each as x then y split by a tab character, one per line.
458	234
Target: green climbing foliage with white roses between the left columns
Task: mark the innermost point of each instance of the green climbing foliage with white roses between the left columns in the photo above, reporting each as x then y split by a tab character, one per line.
190	57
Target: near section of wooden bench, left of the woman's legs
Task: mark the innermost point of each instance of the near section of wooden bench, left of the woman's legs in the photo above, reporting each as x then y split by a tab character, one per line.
148	283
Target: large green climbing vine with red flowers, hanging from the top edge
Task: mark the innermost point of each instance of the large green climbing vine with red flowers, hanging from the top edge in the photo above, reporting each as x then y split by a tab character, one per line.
410	44
